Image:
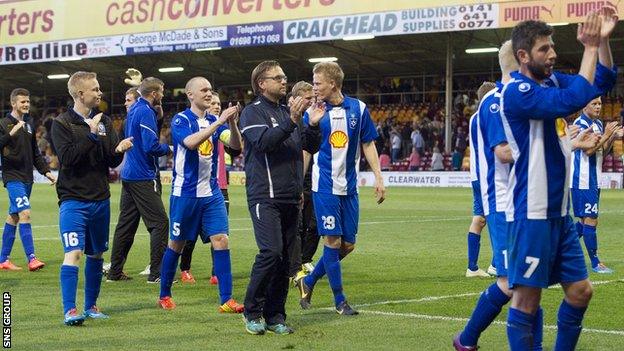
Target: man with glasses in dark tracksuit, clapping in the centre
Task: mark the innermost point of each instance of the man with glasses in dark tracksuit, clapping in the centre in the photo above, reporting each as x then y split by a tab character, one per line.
273	169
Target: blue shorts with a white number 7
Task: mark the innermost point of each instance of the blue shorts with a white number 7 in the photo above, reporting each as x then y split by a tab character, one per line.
544	252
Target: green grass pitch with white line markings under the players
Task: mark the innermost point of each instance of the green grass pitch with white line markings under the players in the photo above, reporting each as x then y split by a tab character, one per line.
405	277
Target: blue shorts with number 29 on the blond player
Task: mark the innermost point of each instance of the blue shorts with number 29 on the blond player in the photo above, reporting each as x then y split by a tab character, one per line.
337	215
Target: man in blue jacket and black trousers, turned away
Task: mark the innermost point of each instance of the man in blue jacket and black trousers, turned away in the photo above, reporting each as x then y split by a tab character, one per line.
141	188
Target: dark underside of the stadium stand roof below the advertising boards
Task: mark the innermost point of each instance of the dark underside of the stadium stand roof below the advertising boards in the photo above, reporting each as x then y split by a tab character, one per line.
388	56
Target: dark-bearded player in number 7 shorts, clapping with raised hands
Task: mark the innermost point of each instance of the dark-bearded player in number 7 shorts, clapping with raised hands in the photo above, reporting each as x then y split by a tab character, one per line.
543	246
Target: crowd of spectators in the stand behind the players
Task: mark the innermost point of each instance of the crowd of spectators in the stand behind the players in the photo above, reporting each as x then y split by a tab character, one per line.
410	123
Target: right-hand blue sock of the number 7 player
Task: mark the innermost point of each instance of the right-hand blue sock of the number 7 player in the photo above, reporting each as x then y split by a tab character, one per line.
569	326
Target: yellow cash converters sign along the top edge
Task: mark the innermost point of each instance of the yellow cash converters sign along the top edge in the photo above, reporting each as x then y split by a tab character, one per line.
37	21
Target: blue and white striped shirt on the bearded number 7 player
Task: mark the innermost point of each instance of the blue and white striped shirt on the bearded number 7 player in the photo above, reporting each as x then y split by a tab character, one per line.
538	182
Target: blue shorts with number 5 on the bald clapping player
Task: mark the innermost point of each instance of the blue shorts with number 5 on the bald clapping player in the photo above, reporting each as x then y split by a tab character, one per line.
190	216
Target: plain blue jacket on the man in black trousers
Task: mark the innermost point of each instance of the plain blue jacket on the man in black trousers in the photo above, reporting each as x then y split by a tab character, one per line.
142	160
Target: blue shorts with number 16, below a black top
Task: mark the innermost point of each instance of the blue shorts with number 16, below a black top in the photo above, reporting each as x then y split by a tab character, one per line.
85	225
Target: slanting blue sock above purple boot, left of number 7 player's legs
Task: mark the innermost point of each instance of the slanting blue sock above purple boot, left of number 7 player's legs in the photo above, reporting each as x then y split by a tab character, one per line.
488	307
